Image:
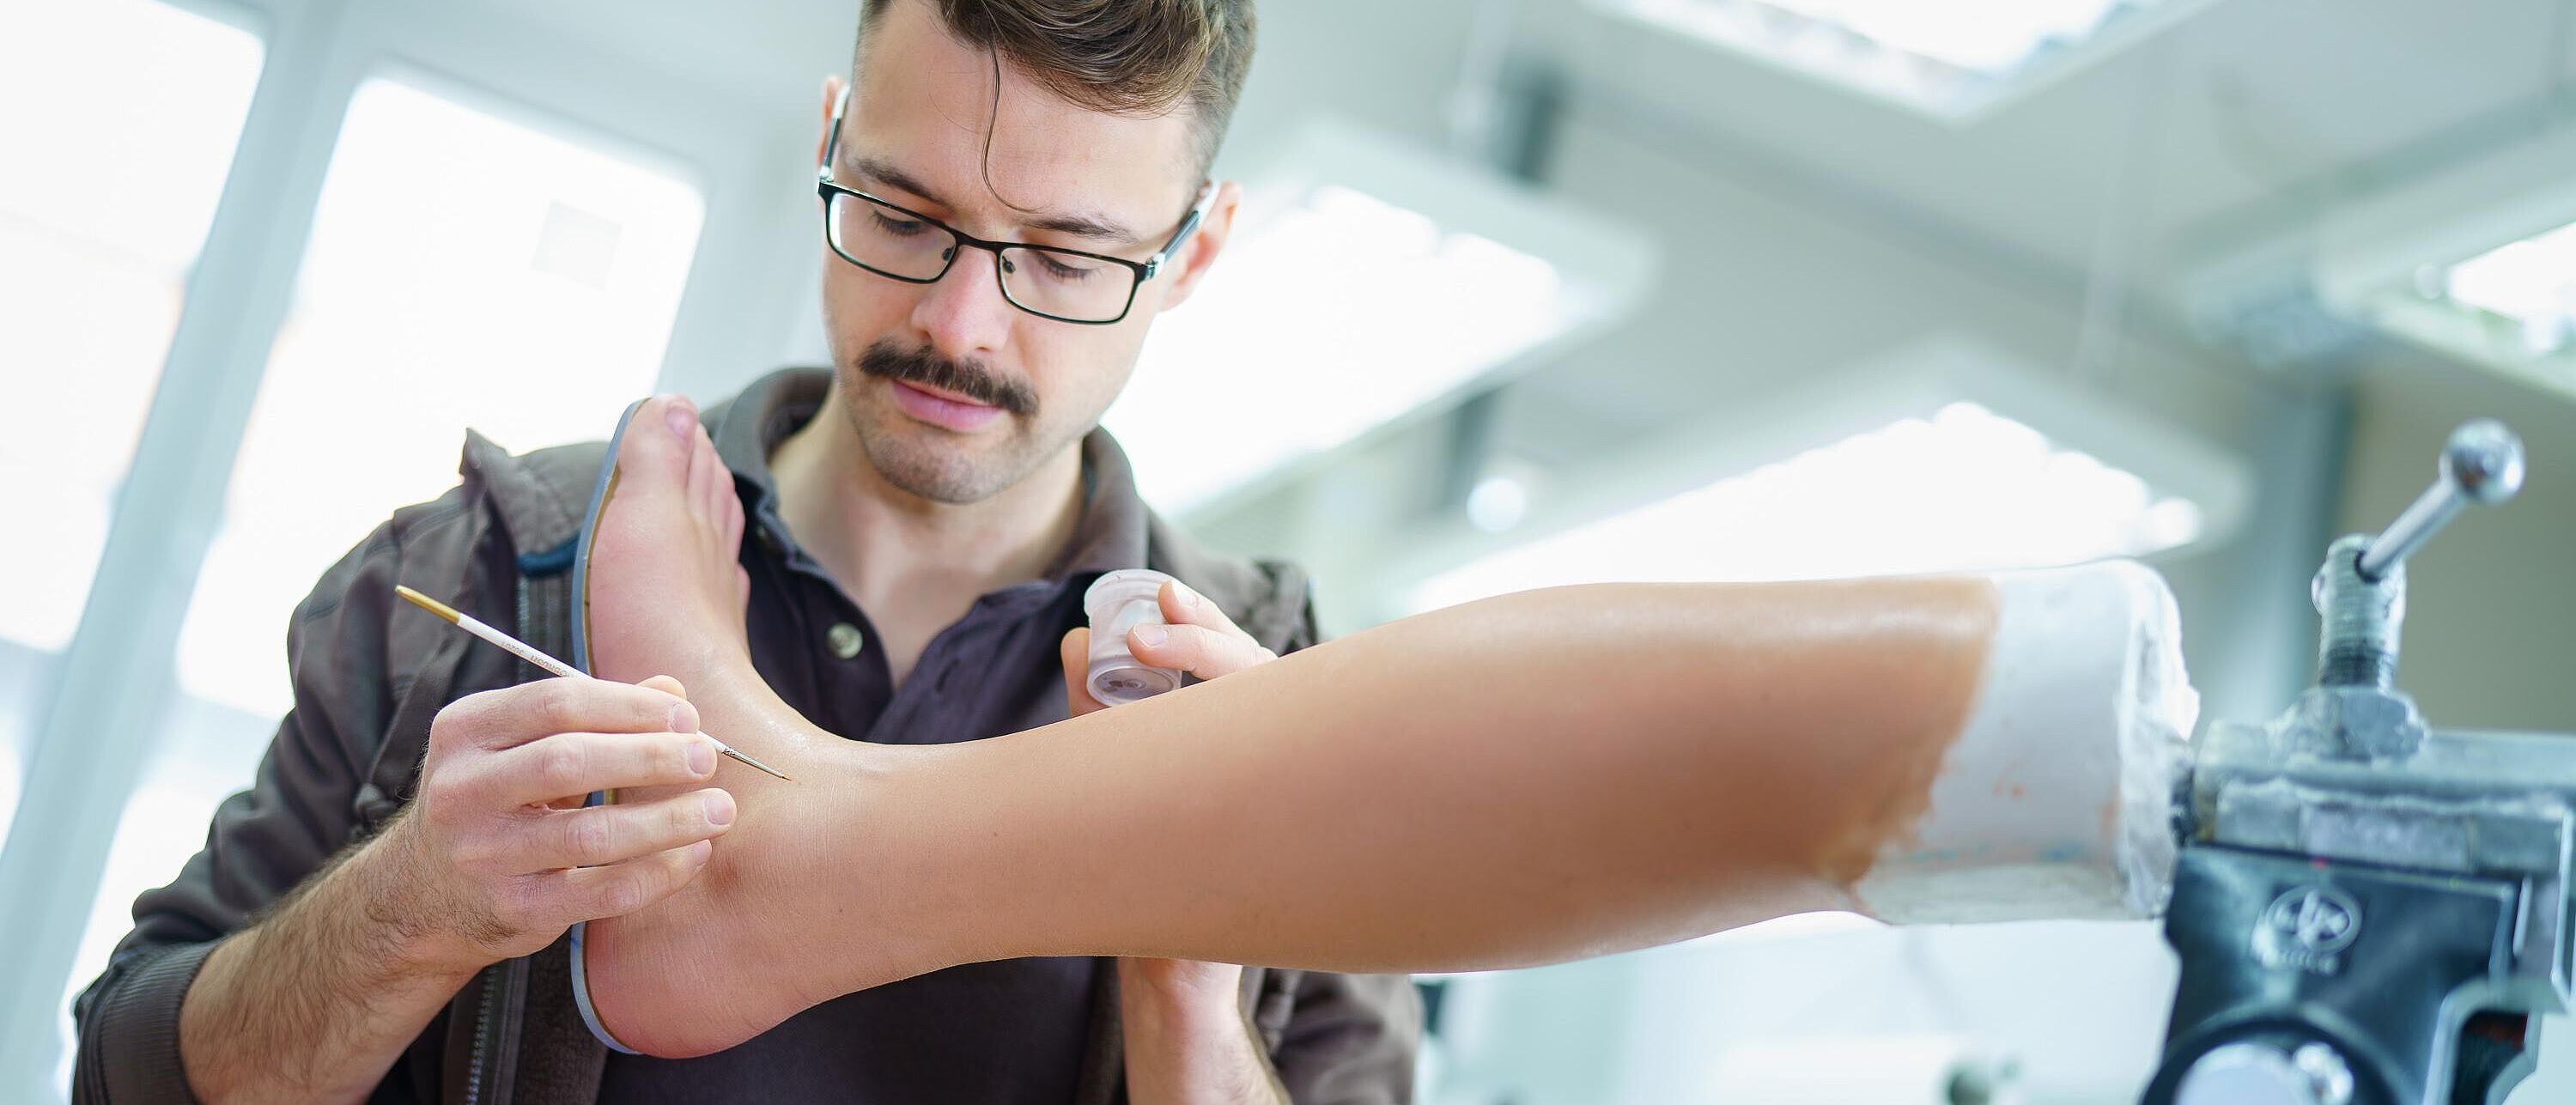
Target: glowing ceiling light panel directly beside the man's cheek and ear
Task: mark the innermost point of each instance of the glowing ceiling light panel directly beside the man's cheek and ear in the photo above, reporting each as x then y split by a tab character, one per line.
1367	282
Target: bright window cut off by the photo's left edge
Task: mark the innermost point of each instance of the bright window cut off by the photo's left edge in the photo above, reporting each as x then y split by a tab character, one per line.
120	127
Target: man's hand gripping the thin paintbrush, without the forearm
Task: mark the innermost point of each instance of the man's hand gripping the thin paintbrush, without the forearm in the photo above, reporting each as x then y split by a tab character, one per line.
498	854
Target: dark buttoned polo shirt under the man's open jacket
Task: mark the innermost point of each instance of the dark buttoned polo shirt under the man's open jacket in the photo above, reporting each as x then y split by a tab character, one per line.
1009	1032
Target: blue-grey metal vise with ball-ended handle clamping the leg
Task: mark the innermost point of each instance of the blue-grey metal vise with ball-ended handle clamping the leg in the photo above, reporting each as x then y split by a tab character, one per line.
2369	911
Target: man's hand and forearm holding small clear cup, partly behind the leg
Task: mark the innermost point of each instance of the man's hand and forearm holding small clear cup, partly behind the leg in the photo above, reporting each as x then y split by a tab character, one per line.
1186	1034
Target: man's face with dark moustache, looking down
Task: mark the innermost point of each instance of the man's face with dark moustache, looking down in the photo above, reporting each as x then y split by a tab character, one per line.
949	388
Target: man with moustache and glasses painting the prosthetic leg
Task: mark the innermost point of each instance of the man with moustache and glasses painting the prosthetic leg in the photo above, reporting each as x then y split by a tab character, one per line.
1011	194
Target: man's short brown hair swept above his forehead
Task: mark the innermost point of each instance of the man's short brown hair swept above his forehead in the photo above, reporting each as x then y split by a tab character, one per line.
1135	58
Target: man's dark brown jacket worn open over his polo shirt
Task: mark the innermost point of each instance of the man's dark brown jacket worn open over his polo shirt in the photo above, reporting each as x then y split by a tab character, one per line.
349	753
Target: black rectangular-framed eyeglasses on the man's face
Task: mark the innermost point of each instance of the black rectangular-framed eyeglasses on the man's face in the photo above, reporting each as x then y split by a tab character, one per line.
1050	282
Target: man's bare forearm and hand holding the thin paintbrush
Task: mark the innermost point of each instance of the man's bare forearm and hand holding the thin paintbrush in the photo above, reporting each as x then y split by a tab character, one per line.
493	859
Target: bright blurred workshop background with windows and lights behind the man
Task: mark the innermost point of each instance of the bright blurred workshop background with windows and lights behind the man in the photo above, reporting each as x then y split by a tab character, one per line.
1529	292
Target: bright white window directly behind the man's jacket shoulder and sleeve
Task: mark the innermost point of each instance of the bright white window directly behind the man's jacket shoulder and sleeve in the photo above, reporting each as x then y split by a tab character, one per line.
462	272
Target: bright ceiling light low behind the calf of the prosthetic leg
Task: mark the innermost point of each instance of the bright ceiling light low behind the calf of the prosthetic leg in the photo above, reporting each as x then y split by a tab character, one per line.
1938	465
